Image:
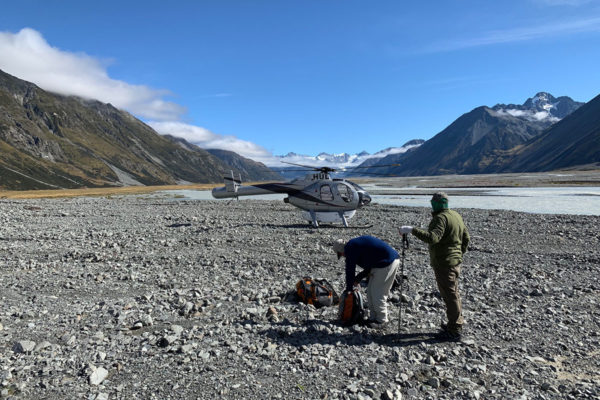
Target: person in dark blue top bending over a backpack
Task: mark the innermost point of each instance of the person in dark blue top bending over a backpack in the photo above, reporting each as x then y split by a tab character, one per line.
380	262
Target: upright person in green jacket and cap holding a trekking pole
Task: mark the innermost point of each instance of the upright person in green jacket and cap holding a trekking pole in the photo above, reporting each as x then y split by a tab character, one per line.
448	239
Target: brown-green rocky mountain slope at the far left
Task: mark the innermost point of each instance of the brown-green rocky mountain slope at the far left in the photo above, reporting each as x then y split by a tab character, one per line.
53	141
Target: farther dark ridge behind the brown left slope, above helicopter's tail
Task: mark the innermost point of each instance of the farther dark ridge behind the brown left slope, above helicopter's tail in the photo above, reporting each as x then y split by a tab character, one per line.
250	170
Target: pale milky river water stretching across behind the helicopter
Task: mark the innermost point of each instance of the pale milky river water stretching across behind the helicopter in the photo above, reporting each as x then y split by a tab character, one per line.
543	200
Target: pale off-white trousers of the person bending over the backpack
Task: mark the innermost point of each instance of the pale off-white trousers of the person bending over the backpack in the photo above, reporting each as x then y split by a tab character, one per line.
378	289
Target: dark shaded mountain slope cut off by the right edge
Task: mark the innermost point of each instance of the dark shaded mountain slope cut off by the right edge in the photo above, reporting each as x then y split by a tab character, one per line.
574	141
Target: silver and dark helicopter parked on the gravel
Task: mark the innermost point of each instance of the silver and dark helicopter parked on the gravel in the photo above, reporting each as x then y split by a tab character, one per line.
320	197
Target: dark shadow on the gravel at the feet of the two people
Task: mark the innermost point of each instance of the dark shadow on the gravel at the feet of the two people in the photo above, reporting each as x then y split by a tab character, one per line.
319	332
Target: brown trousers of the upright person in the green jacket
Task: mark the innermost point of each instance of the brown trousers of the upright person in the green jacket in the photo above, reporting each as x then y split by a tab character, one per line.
447	281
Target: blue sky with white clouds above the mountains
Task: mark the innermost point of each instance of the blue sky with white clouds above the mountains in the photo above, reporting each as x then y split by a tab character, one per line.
267	77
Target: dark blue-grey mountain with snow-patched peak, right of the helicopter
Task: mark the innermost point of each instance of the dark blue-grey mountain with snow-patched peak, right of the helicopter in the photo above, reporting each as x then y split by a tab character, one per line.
471	144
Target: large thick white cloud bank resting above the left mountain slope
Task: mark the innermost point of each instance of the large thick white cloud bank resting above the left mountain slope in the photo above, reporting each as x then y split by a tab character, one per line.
27	55
